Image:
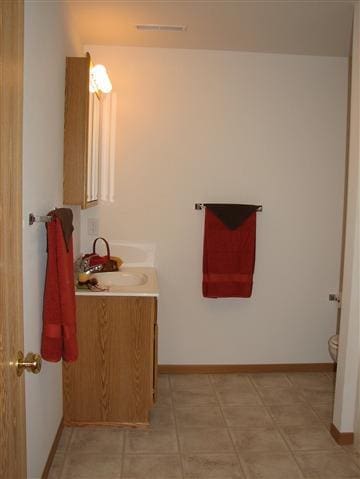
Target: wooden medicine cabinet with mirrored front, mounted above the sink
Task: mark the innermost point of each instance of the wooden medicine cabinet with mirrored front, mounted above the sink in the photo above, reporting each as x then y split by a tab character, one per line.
81	135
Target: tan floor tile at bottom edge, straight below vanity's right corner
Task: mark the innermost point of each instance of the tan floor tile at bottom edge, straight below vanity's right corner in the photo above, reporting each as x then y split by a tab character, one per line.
152	467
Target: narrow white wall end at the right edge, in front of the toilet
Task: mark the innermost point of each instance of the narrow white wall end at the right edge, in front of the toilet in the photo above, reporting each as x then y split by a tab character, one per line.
347	378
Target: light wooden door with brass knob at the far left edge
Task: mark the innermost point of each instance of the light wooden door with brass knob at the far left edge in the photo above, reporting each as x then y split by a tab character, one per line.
12	404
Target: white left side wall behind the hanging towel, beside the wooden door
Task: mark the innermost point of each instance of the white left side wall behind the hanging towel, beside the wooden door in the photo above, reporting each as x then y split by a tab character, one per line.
47	42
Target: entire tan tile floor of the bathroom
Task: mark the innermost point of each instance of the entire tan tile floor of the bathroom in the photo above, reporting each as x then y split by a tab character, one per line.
219	426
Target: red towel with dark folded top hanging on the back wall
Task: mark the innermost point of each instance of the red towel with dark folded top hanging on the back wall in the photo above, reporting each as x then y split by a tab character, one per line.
229	254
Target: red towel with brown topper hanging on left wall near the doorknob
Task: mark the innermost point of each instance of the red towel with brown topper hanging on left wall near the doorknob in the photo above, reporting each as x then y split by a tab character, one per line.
59	312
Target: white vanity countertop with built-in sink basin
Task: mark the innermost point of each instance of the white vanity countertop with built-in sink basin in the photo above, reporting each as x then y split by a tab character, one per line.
146	276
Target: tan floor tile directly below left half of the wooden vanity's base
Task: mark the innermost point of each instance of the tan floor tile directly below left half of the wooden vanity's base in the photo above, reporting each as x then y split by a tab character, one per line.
99	440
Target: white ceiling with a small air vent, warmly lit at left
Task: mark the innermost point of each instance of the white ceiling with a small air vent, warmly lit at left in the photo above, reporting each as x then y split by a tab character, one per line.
306	27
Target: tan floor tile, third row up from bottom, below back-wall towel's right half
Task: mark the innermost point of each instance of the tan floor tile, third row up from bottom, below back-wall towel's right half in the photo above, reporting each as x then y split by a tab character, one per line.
247	416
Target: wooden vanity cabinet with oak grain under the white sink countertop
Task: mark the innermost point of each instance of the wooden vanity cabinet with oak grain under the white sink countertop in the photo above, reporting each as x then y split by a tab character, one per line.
114	379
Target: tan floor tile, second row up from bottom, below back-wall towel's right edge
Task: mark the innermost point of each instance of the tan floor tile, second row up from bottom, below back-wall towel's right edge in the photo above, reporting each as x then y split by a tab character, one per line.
260	439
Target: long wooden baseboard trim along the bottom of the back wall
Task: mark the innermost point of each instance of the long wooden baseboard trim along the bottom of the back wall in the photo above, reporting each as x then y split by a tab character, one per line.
244	368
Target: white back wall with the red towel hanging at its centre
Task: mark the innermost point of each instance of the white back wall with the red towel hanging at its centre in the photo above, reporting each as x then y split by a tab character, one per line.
211	126
